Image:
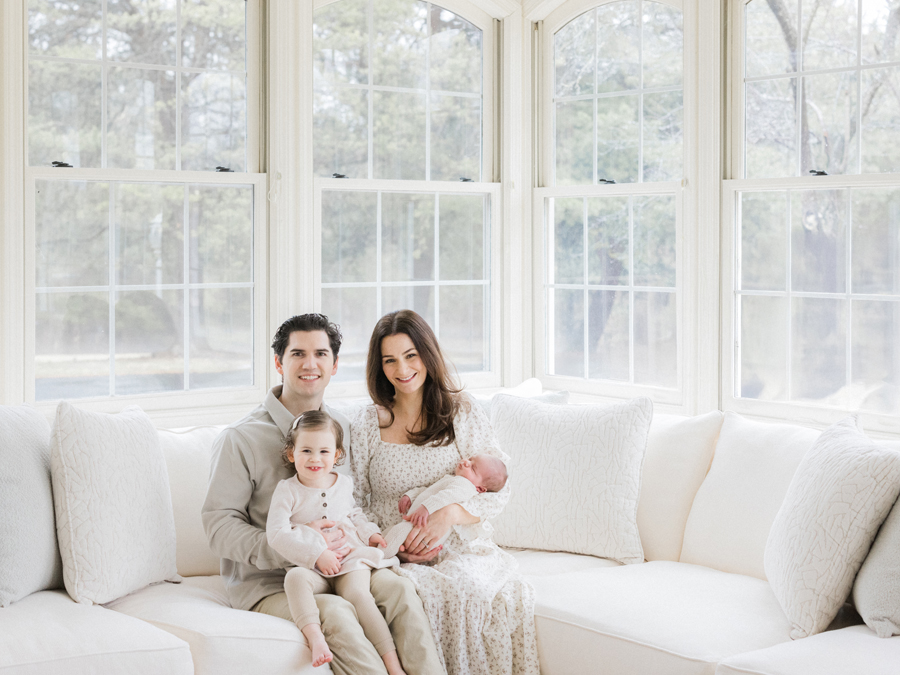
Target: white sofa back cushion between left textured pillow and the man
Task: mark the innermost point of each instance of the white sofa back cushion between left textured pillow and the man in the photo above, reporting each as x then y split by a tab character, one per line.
188	453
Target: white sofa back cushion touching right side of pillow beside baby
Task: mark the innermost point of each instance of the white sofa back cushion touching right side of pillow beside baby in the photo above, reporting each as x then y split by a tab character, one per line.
679	452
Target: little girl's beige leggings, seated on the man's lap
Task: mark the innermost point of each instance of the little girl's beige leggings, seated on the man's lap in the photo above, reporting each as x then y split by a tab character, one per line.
301	585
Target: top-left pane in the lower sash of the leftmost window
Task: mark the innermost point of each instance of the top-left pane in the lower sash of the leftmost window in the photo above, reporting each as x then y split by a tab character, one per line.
71	233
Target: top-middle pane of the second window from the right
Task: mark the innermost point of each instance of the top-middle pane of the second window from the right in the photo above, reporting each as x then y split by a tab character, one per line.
618	47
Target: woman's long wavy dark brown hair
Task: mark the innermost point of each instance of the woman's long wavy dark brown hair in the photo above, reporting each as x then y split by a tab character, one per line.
440	399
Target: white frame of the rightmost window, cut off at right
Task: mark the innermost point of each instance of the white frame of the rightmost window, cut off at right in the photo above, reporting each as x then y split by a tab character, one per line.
730	348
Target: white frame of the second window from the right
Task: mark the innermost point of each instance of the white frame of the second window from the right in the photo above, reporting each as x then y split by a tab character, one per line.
689	396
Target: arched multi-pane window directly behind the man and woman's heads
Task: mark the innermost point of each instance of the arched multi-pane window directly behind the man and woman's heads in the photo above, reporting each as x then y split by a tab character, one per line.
403	160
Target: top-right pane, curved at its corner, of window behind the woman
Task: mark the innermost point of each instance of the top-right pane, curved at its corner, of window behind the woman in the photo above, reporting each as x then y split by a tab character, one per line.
455	56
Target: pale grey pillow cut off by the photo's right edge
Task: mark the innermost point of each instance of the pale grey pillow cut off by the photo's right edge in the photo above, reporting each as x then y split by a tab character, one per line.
876	591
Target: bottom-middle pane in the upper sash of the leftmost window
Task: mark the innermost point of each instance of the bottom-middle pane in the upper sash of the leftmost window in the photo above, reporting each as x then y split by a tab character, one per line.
141	119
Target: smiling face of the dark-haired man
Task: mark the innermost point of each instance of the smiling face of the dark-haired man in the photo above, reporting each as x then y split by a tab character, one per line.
308	363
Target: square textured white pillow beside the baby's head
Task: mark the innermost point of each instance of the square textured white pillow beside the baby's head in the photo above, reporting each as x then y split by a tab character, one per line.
576	476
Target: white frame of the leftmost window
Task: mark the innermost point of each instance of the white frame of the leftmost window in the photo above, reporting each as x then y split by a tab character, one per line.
17	213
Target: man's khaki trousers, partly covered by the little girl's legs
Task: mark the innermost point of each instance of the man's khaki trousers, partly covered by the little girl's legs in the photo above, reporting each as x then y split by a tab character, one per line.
353	654
